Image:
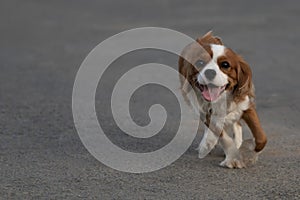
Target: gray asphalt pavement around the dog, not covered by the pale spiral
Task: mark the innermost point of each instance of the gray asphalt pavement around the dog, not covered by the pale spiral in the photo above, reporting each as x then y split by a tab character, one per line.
42	45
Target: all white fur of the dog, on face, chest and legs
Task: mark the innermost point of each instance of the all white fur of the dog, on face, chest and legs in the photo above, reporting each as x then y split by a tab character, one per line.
225	115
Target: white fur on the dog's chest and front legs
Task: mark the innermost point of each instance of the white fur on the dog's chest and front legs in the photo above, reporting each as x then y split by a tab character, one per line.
230	122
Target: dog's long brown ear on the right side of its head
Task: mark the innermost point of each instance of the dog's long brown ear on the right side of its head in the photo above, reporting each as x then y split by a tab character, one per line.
244	80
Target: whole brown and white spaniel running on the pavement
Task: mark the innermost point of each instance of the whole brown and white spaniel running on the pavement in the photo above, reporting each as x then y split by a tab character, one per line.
223	97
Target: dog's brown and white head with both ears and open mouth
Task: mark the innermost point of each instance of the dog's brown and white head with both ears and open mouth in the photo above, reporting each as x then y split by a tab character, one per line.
214	69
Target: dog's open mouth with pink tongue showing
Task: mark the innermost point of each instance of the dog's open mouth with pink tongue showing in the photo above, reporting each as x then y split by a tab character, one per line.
211	92
